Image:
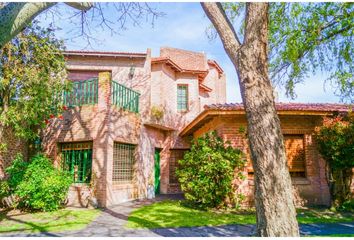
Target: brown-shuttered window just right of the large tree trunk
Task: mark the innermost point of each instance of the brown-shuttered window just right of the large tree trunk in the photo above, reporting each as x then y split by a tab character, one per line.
295	153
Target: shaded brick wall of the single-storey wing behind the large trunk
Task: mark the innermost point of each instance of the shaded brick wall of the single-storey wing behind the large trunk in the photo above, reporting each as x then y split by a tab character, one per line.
311	190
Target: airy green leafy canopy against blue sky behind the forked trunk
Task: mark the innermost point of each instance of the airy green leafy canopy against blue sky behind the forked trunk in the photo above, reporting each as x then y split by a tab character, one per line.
307	38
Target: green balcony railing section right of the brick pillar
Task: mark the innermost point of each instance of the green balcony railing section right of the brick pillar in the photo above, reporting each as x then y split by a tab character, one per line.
125	98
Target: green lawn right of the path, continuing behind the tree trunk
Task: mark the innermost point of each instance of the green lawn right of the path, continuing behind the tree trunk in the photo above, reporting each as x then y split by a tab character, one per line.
175	214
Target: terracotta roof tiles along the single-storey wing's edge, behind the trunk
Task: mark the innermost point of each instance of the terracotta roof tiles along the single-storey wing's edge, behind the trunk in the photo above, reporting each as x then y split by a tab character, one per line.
321	107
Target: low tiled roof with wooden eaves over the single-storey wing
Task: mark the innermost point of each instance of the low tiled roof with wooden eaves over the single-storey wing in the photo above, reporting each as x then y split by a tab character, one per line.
314	109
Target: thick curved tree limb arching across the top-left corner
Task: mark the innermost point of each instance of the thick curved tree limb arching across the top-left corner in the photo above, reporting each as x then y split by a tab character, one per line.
14	17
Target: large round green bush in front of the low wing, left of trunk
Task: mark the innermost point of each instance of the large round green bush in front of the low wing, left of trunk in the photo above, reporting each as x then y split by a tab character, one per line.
207	171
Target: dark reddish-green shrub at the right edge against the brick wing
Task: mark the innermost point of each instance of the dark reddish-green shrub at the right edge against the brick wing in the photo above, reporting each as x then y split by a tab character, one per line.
336	144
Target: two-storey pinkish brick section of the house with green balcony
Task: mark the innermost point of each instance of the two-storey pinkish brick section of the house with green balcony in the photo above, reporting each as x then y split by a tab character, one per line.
109	136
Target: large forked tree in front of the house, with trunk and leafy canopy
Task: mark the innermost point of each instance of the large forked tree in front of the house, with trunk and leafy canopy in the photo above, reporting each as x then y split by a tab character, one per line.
294	39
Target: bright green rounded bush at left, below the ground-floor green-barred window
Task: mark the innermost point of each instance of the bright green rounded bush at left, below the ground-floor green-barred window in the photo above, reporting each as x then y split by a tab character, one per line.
38	185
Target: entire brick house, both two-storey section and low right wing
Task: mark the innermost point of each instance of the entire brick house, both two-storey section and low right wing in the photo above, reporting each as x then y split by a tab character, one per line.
131	118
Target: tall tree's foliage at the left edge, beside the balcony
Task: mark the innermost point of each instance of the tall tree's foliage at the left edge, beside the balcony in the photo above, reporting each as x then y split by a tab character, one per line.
32	77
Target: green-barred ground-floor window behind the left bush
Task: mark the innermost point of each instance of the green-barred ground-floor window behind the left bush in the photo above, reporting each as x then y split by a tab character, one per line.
77	159
